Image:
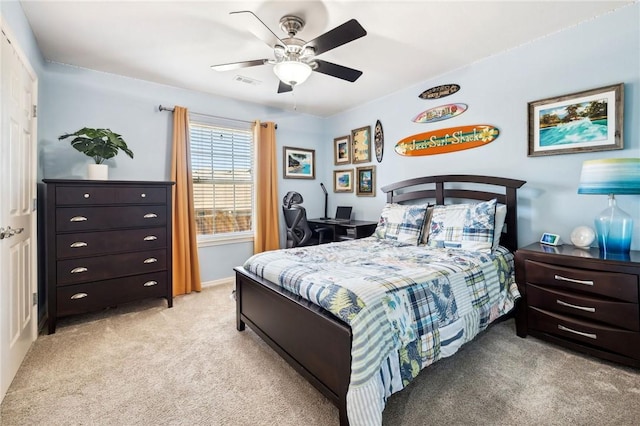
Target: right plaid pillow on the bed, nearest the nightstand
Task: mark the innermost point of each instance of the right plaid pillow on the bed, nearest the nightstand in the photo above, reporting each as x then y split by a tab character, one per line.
463	226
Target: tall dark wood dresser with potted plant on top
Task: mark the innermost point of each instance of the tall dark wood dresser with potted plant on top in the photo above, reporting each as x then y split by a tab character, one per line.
105	243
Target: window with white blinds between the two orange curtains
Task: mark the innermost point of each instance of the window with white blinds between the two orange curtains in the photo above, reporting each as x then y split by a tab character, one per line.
222	167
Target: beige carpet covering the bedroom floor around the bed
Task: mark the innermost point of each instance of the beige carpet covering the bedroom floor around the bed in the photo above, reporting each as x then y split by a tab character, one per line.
144	364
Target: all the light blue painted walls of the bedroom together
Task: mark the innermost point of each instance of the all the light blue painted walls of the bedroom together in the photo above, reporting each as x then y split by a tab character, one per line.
600	52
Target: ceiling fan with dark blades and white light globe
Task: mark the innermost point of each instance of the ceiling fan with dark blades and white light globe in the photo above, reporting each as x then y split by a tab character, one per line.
295	59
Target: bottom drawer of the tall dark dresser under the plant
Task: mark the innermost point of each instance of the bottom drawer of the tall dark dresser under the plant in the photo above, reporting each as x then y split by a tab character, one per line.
78	298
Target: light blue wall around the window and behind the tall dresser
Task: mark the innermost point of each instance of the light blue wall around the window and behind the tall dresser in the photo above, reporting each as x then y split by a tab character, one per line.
73	98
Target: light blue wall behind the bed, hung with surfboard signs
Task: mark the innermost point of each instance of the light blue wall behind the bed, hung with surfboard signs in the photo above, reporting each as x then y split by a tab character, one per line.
597	53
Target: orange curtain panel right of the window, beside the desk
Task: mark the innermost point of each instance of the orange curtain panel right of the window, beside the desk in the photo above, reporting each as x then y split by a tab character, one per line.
267	233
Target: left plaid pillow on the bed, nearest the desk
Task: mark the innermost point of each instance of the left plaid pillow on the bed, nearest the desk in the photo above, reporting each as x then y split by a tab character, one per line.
402	223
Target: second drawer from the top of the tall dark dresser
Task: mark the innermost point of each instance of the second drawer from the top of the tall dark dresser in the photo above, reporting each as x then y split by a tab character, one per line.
74	219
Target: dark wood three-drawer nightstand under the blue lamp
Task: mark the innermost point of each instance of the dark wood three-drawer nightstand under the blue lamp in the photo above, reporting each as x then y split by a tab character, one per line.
580	299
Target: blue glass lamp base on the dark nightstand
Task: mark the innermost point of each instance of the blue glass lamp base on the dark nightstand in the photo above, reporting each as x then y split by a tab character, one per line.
614	228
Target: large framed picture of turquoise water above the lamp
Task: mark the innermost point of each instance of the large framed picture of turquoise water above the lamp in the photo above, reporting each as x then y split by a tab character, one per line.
579	122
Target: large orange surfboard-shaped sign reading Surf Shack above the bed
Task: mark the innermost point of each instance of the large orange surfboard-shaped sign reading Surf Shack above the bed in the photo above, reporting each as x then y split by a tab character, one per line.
447	140
